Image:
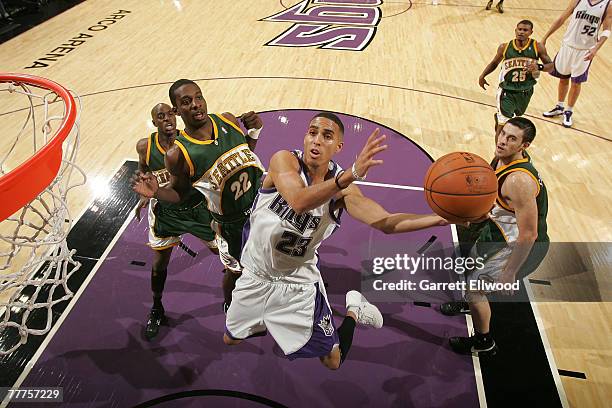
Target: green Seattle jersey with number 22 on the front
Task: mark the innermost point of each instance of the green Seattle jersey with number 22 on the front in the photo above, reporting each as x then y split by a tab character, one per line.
223	168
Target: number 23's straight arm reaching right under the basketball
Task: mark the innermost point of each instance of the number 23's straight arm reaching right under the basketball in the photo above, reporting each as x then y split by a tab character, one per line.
370	212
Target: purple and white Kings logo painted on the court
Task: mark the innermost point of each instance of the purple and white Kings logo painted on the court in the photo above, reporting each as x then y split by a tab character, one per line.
333	25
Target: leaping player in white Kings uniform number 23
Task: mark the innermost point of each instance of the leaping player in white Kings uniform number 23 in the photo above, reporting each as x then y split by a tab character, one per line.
298	206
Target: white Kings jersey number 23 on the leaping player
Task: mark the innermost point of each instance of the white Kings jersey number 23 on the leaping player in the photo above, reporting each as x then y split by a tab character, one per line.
282	245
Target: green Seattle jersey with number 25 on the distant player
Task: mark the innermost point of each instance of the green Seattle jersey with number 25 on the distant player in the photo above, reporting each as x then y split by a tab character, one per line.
512	76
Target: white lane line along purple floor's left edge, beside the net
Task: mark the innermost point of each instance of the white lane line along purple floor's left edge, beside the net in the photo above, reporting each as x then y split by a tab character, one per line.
73	301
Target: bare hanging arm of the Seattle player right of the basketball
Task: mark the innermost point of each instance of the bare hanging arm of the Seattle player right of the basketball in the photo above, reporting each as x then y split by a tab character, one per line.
520	190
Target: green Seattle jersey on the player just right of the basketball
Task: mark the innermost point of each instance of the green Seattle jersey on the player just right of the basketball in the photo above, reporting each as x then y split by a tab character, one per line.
501	228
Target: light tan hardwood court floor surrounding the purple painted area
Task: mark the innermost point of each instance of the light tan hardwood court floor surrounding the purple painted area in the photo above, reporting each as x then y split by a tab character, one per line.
418	75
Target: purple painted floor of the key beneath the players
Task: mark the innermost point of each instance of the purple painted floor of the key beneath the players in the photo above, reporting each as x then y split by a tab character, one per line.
100	359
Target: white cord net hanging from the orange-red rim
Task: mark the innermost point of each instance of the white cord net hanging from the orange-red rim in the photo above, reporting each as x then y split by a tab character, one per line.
35	262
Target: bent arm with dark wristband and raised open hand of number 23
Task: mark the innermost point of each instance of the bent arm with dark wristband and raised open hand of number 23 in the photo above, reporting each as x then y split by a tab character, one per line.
284	170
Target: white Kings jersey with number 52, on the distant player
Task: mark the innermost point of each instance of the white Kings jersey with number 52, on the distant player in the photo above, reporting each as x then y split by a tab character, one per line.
582	32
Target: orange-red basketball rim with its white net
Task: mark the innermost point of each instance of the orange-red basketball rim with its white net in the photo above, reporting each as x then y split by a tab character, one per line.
36	169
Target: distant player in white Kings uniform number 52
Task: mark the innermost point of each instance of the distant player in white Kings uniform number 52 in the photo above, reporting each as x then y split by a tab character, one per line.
588	30
